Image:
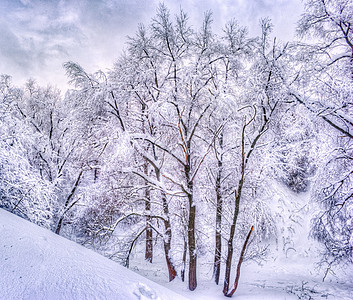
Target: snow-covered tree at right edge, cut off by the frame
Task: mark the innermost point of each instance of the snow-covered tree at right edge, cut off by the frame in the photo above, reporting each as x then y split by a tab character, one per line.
326	91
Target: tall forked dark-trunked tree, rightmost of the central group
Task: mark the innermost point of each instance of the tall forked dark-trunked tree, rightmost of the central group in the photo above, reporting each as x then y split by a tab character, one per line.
267	92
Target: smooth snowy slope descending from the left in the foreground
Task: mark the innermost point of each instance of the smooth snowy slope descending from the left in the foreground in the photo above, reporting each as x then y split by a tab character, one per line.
37	264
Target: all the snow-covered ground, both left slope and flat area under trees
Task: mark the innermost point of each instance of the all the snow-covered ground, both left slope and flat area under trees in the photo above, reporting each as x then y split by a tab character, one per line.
37	264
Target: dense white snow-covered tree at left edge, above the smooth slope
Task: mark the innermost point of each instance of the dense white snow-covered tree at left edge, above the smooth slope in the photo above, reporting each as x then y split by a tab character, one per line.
22	188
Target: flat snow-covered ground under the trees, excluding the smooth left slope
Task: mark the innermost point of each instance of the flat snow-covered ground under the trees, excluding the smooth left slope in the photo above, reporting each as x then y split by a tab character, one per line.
290	271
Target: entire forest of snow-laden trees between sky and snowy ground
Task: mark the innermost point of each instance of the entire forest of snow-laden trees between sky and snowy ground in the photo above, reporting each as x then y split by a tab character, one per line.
175	149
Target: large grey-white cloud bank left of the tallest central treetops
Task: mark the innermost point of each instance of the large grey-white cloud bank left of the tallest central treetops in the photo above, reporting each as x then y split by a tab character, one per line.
40	35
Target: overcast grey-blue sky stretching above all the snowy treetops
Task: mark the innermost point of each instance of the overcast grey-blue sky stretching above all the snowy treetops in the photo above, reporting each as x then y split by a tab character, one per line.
38	36
